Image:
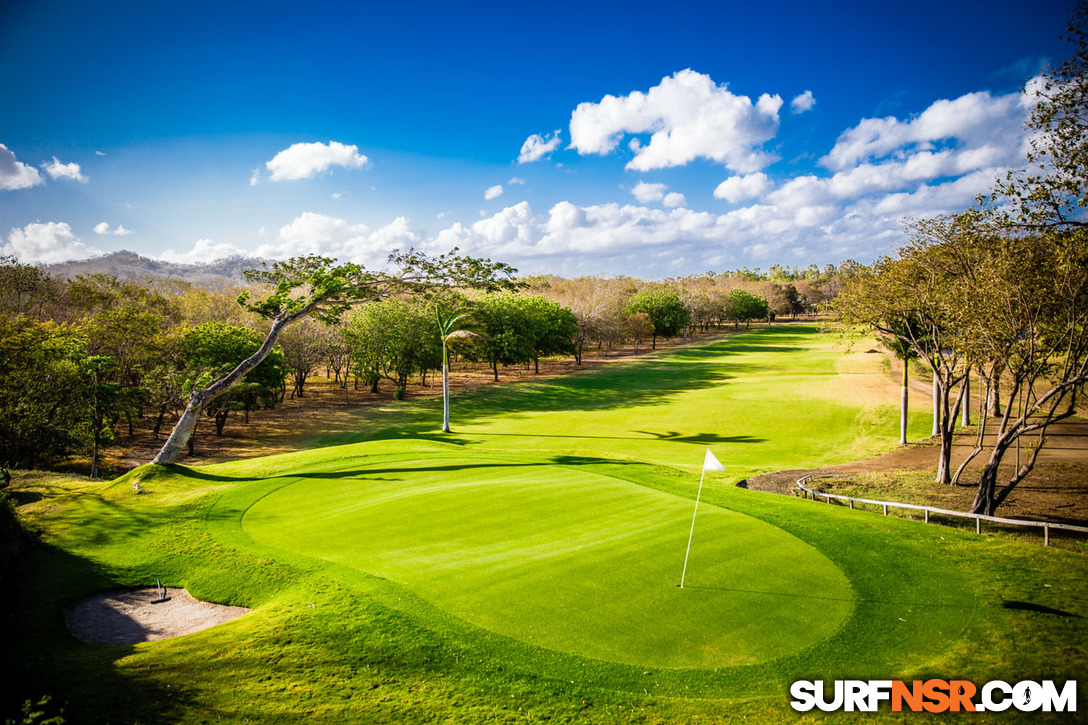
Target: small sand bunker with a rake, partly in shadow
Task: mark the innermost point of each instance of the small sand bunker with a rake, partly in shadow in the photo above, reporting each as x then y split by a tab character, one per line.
130	617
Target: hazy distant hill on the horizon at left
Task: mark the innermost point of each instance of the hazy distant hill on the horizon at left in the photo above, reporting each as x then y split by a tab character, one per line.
129	265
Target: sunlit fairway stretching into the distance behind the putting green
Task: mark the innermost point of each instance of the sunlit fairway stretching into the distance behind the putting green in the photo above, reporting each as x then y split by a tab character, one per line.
781	398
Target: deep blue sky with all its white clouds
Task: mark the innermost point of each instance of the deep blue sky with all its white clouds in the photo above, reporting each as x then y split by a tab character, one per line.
650	140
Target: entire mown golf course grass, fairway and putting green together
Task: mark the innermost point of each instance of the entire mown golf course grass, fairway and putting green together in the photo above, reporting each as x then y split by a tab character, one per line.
413	579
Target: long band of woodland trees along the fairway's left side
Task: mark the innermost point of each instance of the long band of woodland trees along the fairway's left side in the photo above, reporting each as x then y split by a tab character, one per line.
86	360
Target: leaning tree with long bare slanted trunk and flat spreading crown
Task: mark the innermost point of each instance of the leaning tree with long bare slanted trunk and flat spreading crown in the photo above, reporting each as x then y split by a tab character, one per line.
318	287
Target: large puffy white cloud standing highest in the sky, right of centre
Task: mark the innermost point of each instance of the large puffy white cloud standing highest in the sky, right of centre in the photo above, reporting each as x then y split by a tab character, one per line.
689	117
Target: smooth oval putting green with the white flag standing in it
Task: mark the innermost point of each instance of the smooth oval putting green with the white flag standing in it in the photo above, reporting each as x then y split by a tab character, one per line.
566	559
